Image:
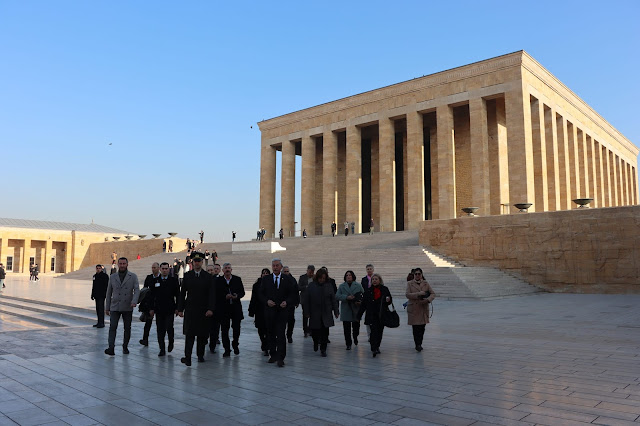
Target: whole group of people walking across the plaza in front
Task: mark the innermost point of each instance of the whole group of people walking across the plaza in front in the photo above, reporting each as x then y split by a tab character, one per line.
209	300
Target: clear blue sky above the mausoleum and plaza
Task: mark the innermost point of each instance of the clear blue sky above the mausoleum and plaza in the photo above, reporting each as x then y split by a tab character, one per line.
176	86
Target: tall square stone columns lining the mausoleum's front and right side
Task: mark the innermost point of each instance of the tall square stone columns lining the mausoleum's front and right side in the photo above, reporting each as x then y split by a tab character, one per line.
541	158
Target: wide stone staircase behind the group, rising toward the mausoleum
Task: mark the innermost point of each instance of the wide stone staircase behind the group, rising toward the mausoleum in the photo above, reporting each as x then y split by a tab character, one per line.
393	255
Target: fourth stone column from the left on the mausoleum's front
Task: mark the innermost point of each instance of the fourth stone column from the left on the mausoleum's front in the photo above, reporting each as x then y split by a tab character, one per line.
329	180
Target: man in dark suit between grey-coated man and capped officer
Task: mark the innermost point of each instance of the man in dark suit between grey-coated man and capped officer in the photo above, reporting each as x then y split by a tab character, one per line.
165	293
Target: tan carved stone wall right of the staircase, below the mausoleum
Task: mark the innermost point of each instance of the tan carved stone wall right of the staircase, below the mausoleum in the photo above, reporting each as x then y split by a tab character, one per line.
580	250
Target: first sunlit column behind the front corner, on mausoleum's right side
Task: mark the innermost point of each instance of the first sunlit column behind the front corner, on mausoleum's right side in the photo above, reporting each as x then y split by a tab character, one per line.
539	156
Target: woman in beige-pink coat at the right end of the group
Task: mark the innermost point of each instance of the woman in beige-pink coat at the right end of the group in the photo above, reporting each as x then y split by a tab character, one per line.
420	294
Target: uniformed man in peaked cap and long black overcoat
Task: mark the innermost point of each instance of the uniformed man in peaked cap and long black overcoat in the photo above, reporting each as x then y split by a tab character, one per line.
196	304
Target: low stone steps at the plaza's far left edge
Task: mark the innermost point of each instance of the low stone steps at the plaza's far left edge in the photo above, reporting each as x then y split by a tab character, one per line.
40	314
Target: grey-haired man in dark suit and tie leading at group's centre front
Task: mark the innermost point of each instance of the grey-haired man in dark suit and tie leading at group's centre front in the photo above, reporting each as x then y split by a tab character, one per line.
277	293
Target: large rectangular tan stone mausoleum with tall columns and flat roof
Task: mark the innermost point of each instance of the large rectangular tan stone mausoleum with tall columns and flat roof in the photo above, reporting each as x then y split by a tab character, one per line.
490	134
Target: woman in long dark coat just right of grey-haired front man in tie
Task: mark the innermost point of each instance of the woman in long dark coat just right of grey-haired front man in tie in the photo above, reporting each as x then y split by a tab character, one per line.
321	301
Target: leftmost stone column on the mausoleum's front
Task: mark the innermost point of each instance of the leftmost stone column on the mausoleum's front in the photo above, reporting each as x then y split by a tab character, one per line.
267	188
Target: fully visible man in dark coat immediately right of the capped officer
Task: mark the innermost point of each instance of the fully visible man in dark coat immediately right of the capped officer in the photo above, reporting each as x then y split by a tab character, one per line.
229	291
